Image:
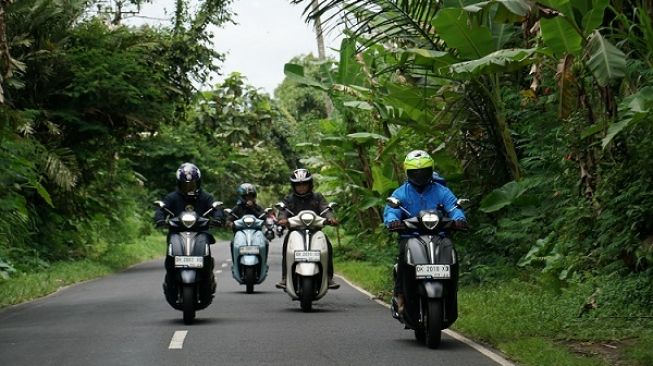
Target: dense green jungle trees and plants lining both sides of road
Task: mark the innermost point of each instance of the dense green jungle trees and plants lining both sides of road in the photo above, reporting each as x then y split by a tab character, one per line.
538	112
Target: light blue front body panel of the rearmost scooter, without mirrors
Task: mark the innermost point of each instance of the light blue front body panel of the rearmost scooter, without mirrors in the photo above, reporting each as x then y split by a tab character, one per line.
244	236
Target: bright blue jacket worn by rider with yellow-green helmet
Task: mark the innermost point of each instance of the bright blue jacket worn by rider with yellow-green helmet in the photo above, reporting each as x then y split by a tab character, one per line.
433	195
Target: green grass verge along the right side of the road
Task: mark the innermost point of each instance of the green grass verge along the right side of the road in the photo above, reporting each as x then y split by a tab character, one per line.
532	326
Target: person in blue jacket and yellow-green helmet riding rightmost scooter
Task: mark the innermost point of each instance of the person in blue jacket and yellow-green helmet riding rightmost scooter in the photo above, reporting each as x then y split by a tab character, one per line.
419	192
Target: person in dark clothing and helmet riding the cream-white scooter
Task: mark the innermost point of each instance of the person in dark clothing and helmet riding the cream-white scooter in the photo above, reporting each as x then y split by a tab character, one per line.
303	198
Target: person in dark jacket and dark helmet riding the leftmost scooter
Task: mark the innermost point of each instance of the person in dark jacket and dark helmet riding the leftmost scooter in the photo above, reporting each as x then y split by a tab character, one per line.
188	196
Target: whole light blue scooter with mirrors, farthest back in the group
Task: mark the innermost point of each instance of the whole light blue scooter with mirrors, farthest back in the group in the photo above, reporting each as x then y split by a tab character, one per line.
249	250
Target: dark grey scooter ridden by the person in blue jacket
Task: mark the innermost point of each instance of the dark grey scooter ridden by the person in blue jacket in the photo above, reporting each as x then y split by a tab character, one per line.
431	275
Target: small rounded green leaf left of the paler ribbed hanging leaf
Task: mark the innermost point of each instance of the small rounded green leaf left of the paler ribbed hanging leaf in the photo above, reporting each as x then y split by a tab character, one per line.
561	36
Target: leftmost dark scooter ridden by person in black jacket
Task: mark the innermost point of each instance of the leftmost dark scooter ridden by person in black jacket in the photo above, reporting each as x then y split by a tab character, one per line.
189	283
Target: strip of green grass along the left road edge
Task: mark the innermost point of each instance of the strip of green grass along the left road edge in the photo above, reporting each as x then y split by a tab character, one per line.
26	287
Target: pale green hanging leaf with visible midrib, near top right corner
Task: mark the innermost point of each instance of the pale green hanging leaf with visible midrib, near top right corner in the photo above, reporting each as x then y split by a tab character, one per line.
606	62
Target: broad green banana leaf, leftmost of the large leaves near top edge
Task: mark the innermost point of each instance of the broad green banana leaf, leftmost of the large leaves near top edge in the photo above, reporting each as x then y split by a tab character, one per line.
471	41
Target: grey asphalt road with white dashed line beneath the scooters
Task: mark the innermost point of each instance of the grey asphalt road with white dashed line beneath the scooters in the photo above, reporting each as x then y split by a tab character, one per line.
123	319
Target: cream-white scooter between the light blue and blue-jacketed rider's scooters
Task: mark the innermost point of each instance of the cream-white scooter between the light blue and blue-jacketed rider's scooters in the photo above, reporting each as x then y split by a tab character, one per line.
307	256
